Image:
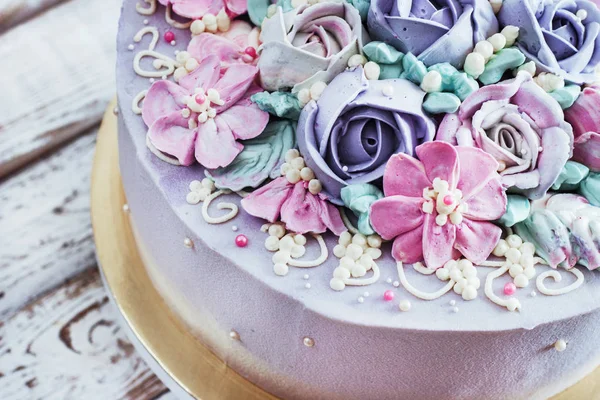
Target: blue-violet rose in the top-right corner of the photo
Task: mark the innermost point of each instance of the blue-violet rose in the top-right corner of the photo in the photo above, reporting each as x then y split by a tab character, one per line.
562	37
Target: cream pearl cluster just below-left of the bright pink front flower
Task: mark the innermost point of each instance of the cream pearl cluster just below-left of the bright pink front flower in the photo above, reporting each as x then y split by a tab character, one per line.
357	254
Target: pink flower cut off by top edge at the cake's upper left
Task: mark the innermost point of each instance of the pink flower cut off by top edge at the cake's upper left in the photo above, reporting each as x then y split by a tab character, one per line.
196	9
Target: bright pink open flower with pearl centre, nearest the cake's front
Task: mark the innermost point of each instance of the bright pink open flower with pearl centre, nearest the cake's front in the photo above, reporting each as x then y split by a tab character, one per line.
438	207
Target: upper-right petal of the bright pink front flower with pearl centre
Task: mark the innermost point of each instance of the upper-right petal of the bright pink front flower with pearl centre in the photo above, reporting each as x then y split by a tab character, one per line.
476	169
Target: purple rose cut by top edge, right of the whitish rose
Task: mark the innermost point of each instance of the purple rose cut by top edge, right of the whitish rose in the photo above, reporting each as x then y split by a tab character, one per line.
435	31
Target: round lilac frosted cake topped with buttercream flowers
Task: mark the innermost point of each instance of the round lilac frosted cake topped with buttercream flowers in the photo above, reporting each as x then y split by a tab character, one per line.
352	200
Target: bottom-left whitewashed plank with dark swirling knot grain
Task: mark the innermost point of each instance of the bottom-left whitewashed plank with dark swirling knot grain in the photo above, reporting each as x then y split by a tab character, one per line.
68	345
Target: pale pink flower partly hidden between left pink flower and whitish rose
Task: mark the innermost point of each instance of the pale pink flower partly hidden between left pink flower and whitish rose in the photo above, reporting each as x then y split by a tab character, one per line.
238	45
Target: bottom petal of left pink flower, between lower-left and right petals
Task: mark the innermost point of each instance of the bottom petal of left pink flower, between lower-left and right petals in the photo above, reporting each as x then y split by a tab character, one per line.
216	146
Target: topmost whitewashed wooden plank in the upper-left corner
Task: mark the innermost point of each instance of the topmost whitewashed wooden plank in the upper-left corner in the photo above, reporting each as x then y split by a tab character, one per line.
56	77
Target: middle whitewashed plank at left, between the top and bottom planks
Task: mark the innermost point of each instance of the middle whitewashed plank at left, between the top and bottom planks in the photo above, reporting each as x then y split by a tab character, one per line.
45	228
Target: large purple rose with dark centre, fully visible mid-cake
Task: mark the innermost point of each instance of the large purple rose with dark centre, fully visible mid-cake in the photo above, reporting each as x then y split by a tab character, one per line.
349	134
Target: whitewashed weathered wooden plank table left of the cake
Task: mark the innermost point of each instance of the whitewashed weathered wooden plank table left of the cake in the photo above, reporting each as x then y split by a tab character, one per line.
59	338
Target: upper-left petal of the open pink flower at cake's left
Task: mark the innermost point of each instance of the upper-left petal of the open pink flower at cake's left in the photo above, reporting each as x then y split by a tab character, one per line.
163	98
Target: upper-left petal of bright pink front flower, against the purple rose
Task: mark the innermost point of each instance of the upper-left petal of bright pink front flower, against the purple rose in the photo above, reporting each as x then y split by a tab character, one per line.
404	175
